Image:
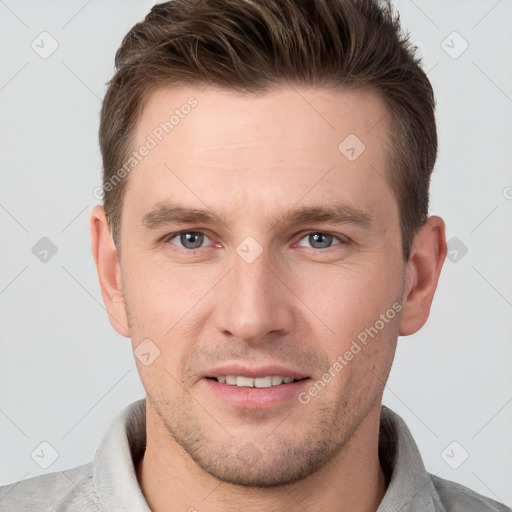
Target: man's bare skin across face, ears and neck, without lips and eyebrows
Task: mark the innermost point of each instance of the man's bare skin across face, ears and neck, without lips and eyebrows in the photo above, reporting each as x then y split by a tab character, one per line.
251	160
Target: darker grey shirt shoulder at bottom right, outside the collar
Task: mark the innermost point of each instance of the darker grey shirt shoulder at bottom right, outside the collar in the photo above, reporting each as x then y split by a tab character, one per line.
458	498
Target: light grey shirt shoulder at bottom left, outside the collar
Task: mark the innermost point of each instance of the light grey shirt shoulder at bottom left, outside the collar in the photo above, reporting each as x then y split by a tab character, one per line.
61	491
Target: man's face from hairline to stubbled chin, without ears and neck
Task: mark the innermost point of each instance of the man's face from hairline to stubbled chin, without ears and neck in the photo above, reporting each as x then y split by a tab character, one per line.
256	248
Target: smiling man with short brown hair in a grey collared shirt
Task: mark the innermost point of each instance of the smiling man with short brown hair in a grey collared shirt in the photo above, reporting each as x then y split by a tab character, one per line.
264	240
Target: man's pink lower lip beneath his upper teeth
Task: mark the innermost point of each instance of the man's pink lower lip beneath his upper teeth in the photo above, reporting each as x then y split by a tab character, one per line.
256	398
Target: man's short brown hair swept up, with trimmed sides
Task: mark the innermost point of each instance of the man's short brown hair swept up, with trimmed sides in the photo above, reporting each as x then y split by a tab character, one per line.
251	46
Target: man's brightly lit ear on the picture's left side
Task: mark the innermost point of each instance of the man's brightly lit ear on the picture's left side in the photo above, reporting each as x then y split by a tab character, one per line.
109	270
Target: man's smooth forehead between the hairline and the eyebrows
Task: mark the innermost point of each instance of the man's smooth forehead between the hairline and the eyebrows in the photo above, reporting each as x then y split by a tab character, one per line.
224	149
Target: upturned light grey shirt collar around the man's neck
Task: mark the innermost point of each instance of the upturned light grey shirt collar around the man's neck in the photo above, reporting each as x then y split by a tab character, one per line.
115	479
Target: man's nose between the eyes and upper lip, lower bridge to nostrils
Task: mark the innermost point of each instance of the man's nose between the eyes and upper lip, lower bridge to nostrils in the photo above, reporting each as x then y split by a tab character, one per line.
254	302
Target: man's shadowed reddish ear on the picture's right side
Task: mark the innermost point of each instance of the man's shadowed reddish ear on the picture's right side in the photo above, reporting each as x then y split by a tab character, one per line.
428	253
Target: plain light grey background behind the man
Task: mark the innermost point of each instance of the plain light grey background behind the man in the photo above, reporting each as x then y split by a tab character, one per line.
65	373
